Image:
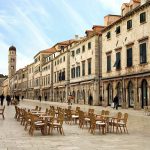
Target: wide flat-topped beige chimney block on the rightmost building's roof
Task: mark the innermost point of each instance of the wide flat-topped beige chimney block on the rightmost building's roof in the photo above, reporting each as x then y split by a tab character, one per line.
109	19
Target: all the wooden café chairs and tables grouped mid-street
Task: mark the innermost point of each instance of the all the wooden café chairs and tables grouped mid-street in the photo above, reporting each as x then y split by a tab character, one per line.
53	118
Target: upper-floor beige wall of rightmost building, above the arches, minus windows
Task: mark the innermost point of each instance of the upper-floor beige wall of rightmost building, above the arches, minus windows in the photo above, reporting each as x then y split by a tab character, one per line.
137	32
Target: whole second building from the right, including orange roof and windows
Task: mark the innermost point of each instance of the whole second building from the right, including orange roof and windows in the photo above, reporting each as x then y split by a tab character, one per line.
85	68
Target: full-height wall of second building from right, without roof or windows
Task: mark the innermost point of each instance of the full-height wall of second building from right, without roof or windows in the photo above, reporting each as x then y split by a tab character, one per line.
87	85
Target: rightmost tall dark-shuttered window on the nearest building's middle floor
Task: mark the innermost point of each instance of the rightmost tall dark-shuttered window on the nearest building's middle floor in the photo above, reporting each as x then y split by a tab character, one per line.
143	53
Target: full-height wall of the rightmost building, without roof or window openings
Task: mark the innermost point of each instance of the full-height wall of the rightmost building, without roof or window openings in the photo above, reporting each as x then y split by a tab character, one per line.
138	74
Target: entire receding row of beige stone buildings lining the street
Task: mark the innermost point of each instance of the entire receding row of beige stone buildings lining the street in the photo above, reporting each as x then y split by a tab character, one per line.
110	60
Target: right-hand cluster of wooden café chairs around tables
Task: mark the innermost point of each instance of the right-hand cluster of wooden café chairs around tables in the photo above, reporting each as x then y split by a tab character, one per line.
103	121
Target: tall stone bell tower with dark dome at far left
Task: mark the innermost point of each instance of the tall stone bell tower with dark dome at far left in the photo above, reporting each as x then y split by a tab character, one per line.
11	61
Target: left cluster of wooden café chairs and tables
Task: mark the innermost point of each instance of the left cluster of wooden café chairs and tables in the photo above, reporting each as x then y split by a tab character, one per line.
46	122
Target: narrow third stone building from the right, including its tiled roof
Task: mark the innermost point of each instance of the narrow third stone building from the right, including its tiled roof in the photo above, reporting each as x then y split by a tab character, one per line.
61	69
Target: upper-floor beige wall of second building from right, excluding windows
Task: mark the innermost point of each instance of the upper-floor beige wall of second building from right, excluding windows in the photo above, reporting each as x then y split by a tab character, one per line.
84	56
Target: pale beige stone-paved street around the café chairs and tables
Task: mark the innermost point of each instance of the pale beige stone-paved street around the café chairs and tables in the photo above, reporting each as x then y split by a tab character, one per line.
14	137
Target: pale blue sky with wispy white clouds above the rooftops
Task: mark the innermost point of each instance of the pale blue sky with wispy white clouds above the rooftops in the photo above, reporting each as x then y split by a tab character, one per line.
35	25
